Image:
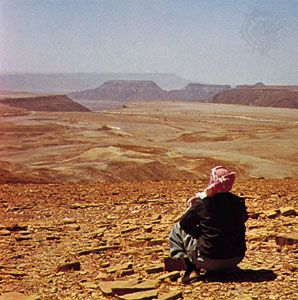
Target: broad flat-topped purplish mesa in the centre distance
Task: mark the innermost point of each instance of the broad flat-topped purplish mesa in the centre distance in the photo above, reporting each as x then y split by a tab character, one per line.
123	90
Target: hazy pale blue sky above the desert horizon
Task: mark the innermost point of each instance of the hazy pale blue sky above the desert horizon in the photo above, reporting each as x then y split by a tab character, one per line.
212	41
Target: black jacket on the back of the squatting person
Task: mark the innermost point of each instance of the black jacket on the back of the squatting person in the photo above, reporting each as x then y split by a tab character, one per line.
218	222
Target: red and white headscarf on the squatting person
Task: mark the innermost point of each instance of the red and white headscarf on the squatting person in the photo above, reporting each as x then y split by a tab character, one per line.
221	181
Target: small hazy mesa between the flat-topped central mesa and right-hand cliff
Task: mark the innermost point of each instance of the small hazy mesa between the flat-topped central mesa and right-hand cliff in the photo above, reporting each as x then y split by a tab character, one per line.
197	91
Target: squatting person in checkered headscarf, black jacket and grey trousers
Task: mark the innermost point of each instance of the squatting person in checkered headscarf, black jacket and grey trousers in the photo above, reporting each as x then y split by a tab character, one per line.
211	233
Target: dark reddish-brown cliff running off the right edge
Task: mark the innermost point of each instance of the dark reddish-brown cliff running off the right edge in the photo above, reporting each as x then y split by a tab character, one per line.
260	95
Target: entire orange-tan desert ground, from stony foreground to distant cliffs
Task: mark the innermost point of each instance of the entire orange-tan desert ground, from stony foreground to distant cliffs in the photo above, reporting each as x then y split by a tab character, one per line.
89	198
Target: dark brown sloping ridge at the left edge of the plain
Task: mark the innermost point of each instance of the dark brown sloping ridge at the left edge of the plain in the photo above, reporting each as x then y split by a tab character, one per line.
45	103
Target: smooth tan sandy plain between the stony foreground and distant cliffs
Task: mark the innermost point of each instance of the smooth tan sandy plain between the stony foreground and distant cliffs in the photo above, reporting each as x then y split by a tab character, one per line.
148	141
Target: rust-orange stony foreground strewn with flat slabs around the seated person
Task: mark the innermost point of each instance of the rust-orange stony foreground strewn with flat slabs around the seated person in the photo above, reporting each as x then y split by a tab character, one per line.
76	241
